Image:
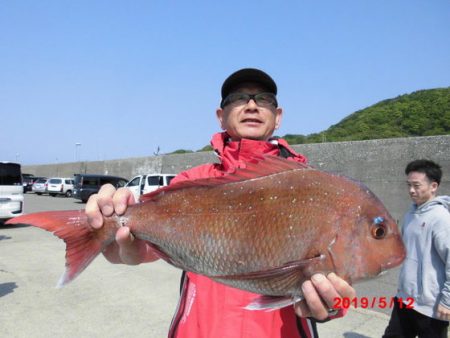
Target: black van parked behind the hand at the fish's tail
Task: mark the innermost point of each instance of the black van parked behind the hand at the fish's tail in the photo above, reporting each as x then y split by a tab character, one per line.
88	184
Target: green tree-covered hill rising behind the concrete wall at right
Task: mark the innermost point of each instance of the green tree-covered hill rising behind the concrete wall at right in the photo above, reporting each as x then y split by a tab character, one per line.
422	113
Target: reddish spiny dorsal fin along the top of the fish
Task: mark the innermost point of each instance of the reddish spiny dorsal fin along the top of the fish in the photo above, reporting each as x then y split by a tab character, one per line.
258	166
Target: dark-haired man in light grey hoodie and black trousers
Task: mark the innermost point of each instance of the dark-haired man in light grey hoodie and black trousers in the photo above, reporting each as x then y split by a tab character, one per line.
422	306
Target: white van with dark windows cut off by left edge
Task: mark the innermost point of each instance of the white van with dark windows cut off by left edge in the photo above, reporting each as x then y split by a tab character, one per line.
11	190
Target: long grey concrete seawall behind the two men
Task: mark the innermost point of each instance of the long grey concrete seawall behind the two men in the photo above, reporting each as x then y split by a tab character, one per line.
377	163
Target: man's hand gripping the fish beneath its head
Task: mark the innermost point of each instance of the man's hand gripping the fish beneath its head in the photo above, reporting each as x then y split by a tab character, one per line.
320	295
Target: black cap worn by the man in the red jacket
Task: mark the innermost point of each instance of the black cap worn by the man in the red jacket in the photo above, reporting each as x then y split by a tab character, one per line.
248	75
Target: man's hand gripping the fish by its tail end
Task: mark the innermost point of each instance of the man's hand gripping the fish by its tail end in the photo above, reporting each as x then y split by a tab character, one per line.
126	249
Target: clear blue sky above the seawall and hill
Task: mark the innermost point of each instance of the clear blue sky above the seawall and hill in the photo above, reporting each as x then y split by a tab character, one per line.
126	77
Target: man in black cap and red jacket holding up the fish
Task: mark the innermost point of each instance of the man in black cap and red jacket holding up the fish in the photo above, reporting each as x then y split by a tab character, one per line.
248	114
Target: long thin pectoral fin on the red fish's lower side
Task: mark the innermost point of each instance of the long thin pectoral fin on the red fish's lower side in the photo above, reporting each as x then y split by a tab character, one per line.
284	270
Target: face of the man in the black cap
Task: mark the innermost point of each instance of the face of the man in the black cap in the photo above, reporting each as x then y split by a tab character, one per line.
249	120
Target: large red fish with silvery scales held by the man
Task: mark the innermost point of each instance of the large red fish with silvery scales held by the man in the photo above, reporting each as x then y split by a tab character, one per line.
264	229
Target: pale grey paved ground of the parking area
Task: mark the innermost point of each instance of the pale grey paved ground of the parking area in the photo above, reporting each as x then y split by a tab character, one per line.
111	300
